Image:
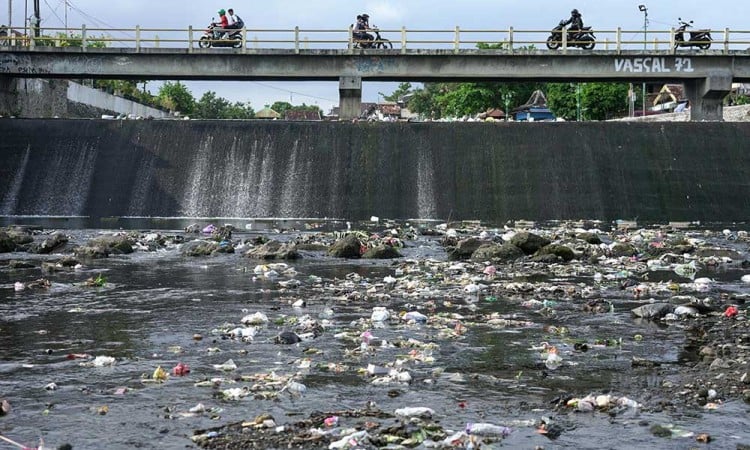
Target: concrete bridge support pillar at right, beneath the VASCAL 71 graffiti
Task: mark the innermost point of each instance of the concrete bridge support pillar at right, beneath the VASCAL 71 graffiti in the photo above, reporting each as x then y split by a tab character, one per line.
707	96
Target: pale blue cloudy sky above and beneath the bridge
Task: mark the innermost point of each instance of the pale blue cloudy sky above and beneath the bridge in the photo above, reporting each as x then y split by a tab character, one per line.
387	14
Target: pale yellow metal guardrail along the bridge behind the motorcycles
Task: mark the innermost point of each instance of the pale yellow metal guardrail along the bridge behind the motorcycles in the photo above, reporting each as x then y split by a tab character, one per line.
403	39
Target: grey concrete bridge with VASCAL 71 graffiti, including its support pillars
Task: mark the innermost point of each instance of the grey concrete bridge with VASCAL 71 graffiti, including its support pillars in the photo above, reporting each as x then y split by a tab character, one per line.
707	75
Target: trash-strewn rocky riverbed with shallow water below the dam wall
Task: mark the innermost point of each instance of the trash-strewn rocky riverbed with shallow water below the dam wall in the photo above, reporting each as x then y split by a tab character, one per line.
382	335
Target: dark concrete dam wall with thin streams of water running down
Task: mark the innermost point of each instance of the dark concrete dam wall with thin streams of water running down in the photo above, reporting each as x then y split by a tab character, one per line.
487	171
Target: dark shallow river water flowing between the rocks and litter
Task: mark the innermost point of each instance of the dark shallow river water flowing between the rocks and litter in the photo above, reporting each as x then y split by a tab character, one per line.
153	303
